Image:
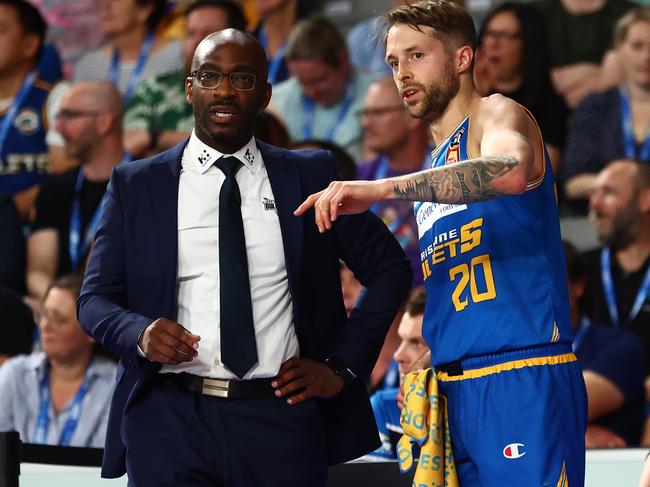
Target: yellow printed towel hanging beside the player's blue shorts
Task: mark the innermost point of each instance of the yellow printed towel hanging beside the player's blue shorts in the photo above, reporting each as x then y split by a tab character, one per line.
424	420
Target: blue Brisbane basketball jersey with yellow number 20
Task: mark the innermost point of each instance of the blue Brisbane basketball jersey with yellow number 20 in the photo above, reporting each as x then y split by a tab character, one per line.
494	271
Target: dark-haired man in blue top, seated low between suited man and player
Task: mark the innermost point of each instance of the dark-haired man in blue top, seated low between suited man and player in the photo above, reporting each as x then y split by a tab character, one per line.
413	354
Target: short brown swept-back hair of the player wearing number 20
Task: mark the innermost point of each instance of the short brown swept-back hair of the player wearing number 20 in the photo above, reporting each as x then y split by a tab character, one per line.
448	21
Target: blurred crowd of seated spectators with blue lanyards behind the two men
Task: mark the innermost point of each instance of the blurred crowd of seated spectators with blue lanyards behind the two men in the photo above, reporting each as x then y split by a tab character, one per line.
83	89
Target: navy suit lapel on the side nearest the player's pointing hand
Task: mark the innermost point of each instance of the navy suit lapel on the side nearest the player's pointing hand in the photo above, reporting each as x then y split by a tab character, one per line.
285	183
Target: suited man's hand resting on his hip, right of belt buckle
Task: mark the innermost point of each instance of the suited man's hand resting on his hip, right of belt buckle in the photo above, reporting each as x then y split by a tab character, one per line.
314	378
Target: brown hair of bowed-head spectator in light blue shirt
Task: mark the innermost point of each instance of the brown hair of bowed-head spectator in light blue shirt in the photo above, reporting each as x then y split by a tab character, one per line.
316	39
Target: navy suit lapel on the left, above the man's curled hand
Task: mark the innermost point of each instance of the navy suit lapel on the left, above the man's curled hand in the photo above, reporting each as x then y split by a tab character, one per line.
163	188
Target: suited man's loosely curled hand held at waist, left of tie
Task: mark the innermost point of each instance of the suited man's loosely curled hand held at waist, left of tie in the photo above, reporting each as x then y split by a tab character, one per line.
168	342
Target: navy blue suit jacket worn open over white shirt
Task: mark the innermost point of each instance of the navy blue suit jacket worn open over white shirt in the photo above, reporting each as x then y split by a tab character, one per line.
130	281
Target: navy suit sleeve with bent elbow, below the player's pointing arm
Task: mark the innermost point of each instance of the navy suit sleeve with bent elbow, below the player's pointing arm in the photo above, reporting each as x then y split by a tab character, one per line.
377	260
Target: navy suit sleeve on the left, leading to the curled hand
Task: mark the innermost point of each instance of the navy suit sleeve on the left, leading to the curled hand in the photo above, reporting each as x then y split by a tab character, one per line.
102	305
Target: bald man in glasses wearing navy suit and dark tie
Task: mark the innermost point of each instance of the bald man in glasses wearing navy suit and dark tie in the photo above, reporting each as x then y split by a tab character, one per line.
217	385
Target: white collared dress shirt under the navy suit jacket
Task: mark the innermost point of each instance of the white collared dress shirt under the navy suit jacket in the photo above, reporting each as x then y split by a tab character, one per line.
198	262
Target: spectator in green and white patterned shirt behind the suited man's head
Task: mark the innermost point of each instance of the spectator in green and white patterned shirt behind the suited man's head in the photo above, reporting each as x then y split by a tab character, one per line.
158	116
